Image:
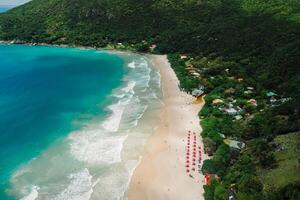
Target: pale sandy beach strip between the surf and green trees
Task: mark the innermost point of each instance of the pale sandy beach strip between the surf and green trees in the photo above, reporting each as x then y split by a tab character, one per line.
162	173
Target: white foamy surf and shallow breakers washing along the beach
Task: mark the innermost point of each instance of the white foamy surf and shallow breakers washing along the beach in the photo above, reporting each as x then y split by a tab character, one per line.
109	150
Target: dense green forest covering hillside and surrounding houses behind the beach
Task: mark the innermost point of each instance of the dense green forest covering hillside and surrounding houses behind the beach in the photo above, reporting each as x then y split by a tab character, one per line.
244	54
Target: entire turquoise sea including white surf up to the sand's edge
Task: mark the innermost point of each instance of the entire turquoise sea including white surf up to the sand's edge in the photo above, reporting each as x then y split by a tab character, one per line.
73	122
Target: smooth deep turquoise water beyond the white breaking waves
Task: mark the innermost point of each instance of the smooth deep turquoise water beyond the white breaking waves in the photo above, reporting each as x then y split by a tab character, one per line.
43	90
